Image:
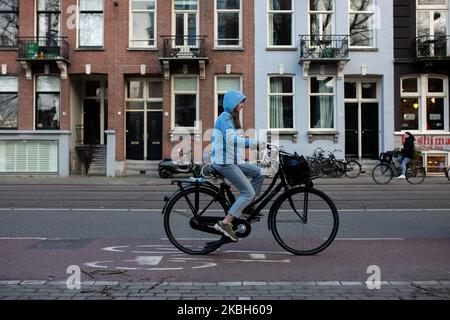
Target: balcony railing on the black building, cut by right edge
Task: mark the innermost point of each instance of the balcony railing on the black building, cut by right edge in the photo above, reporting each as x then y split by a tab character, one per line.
433	47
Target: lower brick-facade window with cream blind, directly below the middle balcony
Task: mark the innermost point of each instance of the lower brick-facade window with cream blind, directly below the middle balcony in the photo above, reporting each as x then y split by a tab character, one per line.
185	102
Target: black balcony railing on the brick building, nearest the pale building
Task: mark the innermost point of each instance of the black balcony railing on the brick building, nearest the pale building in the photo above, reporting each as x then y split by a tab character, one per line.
184	47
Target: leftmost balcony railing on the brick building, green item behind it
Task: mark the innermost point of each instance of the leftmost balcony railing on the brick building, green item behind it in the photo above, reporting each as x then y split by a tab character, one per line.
43	48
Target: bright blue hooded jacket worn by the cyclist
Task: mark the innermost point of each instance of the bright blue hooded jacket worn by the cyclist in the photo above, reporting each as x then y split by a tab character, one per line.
227	142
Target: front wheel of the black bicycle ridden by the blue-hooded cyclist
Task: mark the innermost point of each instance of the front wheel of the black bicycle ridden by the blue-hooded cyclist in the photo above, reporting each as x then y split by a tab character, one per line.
304	221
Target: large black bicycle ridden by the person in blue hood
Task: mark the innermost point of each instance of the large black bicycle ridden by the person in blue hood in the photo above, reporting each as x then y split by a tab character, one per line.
302	219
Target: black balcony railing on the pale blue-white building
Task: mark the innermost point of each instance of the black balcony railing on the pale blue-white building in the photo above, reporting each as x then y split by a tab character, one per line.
326	47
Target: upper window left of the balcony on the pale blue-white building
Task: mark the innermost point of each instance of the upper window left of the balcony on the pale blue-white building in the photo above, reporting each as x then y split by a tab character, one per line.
280	22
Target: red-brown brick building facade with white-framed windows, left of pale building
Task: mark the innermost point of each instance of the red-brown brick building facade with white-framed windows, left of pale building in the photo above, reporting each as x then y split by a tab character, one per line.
127	78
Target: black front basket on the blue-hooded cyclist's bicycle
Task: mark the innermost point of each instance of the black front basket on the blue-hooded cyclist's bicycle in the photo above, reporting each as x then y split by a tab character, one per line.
296	169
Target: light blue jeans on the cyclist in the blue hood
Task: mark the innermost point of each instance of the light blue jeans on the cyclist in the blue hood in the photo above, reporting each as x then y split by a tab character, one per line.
237	175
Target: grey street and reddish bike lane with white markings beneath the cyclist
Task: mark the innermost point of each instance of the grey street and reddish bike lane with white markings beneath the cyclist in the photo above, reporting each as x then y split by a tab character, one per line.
114	231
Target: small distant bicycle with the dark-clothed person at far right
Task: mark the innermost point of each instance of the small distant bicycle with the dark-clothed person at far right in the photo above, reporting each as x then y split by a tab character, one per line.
384	172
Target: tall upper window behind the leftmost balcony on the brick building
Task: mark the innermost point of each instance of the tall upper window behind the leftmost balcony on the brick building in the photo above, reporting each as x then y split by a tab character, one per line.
49	19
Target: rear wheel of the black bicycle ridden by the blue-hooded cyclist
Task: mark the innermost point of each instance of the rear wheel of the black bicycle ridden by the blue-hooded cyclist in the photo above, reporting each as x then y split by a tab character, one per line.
183	212
